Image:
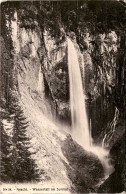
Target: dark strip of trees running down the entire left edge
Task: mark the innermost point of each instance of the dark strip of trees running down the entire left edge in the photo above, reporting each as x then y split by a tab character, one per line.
17	164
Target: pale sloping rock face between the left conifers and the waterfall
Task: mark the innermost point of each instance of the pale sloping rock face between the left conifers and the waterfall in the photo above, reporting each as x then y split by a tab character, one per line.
44	134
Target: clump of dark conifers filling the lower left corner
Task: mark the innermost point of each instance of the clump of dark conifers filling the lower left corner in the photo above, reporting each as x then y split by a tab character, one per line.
17	162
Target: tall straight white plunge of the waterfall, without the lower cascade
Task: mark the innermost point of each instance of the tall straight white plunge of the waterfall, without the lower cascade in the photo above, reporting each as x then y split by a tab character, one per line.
80	128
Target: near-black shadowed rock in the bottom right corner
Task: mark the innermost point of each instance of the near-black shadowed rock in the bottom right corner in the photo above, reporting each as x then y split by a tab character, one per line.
116	183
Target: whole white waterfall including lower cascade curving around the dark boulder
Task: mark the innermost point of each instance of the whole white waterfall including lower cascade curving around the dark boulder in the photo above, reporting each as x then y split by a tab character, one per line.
80	128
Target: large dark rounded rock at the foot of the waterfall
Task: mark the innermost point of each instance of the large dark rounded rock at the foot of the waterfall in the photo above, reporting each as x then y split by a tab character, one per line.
84	170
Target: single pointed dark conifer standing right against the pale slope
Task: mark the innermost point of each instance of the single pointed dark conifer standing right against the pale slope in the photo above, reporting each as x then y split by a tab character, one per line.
26	168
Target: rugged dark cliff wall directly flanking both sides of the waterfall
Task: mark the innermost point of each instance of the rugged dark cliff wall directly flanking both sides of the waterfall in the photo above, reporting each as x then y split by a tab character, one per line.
99	78
